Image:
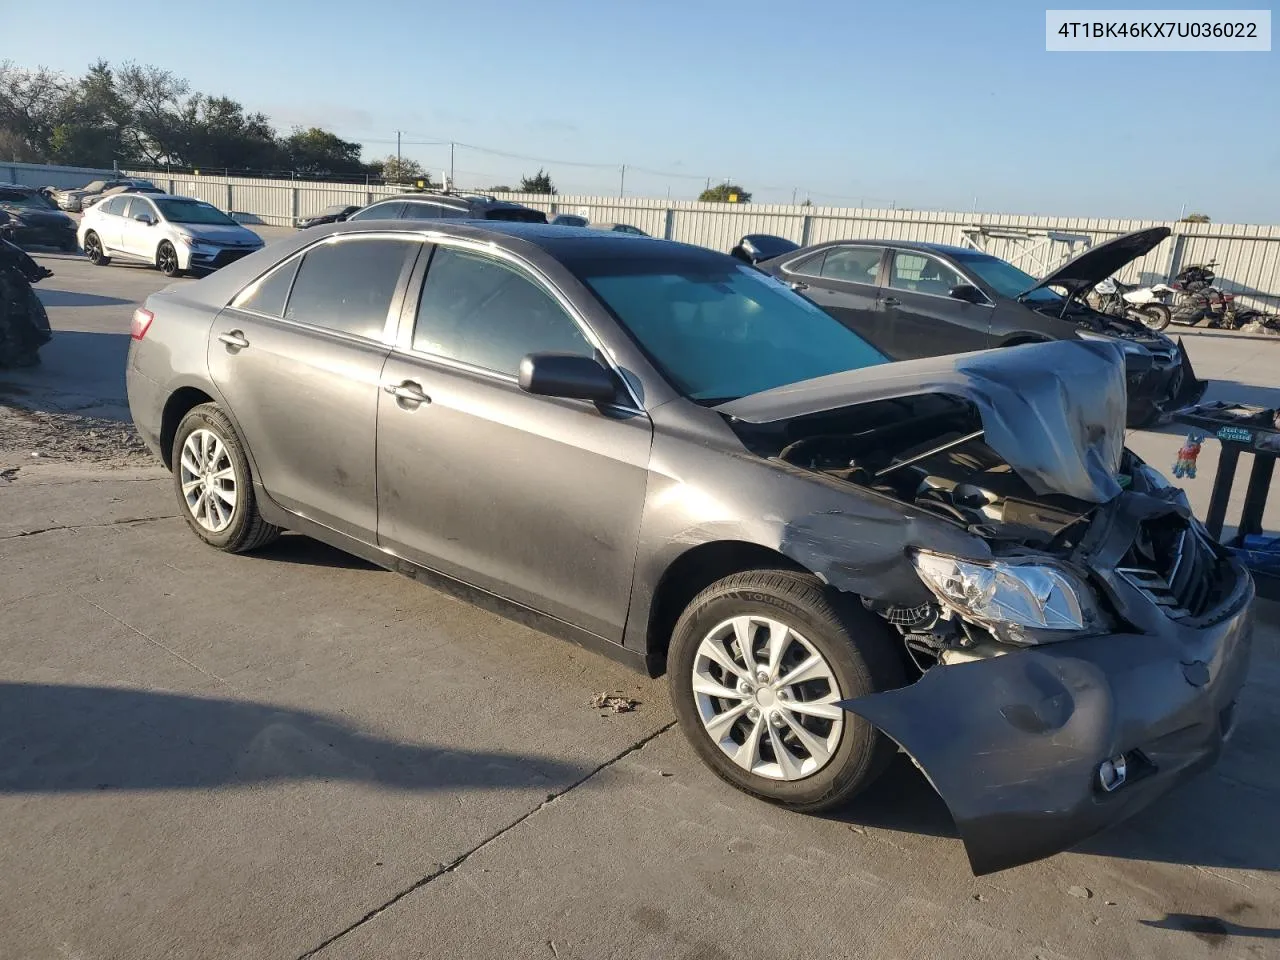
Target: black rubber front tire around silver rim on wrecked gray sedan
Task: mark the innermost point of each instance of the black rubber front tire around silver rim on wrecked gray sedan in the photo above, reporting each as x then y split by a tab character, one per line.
863	751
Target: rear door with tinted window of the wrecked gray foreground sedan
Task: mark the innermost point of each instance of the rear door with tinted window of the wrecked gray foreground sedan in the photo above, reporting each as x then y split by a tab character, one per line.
299	359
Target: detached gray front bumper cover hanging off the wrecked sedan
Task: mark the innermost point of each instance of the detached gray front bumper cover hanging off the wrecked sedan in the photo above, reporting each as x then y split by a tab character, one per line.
1014	744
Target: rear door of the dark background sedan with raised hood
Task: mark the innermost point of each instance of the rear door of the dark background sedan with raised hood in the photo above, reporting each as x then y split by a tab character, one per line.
845	282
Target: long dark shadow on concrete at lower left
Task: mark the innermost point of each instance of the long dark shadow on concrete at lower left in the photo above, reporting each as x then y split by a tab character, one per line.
63	739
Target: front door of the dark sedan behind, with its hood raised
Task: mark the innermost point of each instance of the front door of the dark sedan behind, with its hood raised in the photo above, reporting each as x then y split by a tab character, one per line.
922	318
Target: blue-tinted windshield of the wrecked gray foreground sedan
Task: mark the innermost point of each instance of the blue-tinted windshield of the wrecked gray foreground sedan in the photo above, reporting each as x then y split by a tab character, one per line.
721	332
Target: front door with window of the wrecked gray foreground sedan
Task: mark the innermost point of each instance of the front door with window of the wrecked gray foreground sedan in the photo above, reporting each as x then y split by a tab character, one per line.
532	499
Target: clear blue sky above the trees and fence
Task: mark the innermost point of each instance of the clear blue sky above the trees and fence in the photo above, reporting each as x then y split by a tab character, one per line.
927	104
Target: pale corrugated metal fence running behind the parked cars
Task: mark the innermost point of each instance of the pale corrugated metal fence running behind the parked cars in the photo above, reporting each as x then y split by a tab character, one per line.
1247	255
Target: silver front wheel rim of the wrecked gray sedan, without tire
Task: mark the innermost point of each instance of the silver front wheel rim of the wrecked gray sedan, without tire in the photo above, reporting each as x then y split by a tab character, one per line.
767	698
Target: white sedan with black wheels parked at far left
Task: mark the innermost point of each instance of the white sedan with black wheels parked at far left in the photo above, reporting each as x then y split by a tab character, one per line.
176	235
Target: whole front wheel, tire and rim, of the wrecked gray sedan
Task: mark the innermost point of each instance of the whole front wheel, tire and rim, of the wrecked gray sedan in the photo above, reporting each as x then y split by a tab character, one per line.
758	662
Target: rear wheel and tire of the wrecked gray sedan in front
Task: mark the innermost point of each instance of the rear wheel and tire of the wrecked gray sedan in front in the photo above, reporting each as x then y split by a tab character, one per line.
214	486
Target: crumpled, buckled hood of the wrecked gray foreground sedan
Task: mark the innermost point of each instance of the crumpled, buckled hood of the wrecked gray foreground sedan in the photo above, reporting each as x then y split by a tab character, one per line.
1054	412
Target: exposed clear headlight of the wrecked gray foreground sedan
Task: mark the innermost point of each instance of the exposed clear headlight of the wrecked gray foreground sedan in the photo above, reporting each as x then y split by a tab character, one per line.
1020	602
